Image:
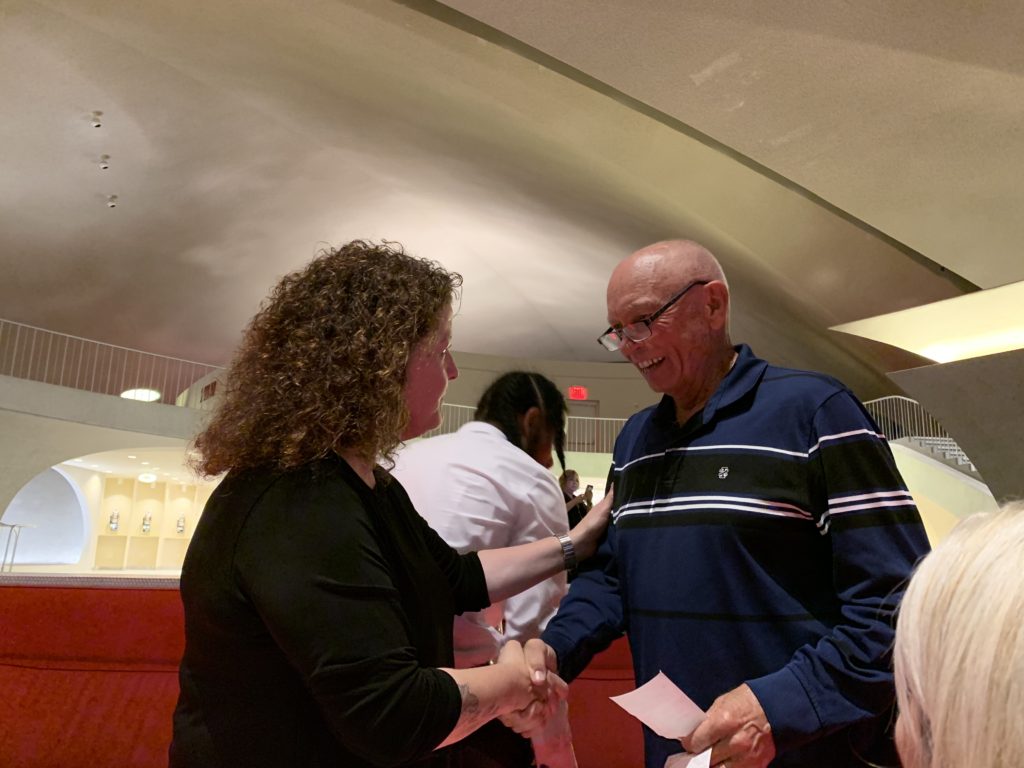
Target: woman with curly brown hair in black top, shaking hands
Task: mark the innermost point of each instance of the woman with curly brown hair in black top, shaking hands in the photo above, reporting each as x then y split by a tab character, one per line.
319	605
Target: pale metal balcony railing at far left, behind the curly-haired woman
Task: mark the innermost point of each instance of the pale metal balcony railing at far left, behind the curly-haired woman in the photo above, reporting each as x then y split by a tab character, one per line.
50	358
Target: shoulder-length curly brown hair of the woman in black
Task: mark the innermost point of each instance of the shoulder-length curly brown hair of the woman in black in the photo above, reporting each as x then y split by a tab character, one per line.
322	367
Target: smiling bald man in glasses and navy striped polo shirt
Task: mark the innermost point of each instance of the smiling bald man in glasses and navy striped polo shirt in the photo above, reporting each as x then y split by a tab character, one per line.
761	541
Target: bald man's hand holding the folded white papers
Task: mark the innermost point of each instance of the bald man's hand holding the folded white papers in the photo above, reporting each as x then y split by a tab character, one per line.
737	730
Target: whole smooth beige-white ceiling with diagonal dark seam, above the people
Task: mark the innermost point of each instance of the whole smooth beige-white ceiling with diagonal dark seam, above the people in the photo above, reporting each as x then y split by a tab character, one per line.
844	160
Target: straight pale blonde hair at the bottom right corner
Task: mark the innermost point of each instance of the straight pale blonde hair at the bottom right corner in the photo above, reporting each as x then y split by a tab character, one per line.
960	649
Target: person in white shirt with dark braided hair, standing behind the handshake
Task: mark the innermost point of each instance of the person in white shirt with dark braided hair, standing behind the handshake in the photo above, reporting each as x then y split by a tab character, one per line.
489	486
